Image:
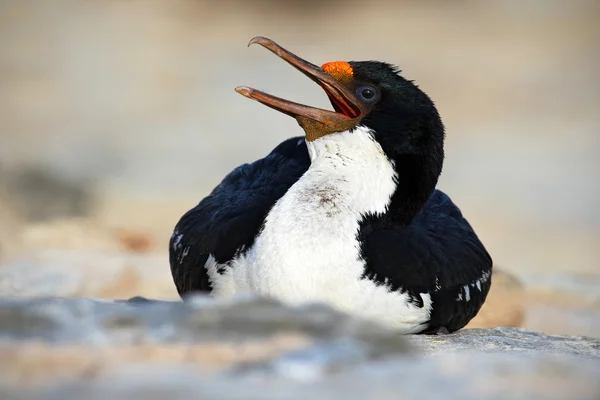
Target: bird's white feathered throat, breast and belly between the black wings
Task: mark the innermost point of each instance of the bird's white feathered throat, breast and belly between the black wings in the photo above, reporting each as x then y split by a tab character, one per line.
308	251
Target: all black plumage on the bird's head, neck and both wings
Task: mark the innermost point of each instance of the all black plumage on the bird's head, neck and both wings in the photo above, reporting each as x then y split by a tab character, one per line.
422	244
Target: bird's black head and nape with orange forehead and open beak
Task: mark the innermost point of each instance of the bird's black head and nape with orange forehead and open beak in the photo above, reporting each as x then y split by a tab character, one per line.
373	94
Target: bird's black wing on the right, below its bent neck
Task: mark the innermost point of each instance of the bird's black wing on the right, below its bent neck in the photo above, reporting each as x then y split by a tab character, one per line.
439	254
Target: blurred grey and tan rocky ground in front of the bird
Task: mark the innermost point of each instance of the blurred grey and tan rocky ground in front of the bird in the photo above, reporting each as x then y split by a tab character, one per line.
56	348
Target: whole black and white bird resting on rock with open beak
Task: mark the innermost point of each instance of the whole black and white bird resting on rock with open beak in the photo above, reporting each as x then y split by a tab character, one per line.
348	215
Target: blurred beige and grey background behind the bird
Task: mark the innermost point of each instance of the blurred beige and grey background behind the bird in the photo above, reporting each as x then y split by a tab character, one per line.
117	116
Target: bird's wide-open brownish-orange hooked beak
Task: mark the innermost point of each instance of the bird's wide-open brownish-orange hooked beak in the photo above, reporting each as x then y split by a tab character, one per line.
347	107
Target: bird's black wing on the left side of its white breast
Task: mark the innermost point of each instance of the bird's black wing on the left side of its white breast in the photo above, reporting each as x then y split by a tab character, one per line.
229	218
